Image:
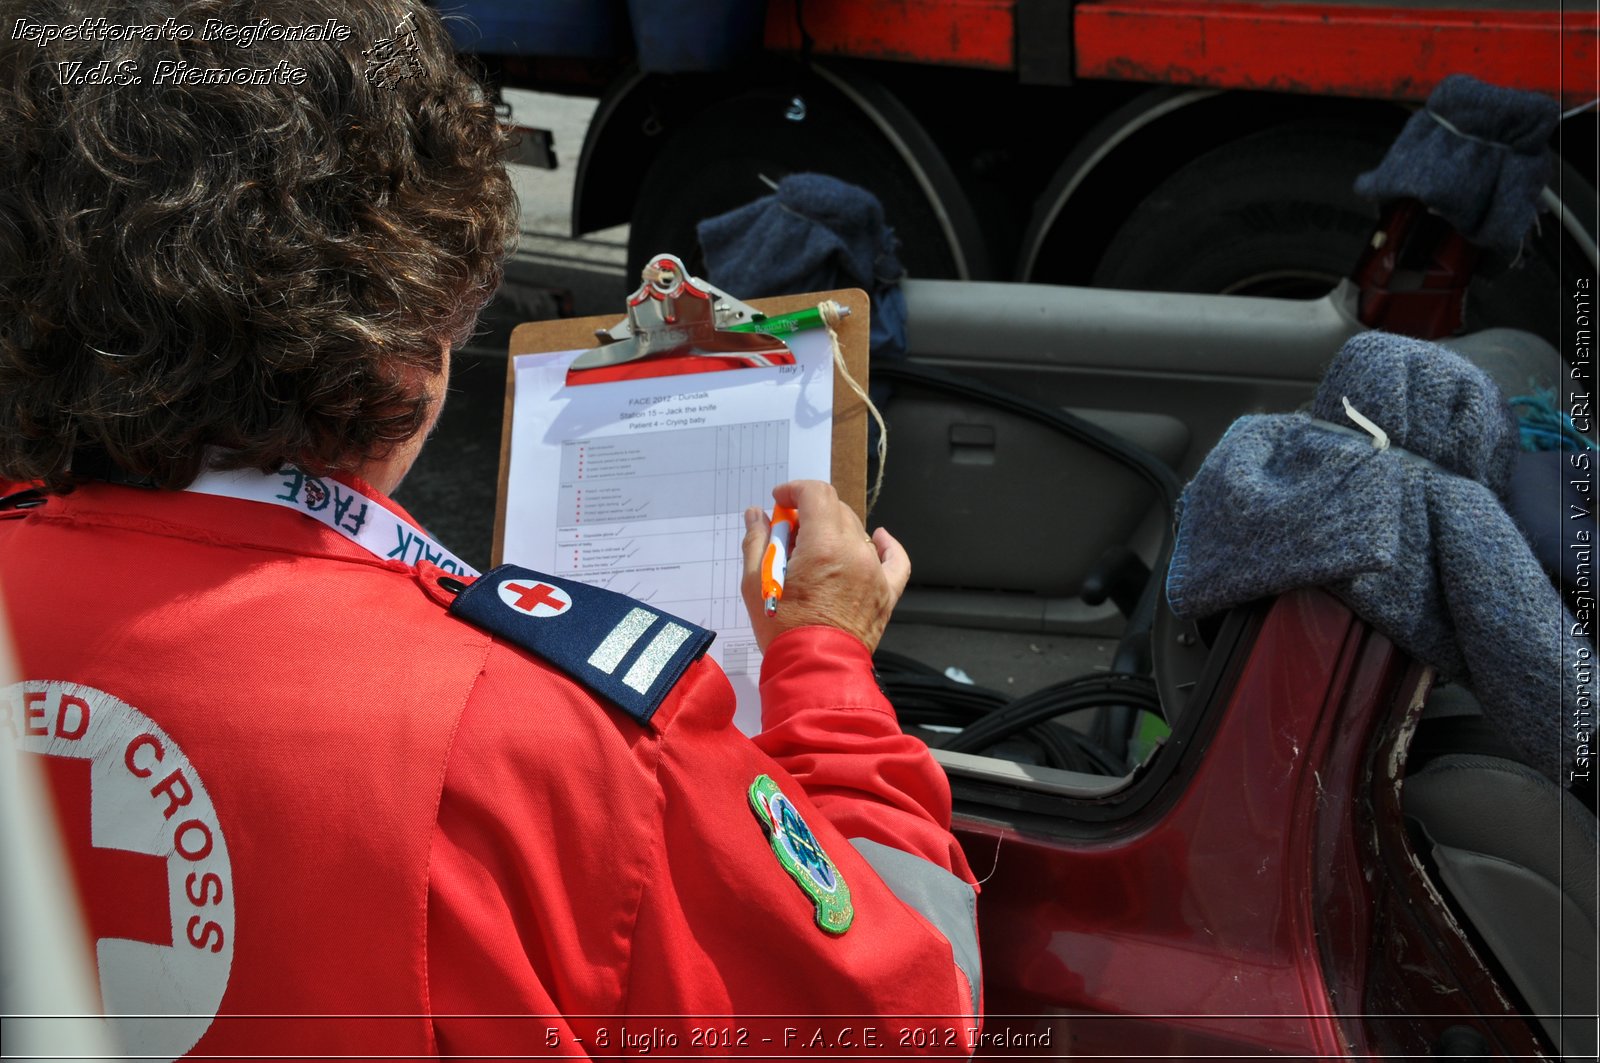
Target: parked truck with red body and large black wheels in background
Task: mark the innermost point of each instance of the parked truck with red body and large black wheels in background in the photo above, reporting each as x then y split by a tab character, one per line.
1150	145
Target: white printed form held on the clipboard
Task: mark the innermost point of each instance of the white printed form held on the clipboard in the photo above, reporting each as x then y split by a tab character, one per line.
642	486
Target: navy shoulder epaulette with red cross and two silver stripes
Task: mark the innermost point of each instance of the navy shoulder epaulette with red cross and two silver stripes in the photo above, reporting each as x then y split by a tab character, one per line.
620	649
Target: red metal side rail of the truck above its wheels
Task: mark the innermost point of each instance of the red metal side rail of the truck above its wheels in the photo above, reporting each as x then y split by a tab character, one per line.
1378	50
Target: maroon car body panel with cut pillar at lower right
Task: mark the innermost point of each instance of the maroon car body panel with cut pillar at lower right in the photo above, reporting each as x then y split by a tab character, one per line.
1263	897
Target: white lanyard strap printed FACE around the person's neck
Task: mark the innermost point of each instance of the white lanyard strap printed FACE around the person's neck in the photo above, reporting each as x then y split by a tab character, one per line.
345	510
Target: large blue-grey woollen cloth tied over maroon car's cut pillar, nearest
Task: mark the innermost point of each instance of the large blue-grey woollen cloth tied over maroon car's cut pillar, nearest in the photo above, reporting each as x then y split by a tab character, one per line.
1415	539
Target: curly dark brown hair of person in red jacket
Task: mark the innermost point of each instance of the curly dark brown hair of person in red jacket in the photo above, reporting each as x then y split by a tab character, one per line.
194	263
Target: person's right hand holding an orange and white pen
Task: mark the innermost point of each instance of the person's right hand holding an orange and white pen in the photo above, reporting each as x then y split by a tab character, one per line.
838	574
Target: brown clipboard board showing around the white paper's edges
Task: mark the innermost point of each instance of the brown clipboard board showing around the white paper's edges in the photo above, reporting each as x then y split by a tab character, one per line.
850	414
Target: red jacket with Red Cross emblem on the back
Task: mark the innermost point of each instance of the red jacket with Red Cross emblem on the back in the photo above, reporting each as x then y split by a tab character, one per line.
316	795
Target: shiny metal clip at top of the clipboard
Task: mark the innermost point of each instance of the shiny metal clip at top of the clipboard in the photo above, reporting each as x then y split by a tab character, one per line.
678	324
